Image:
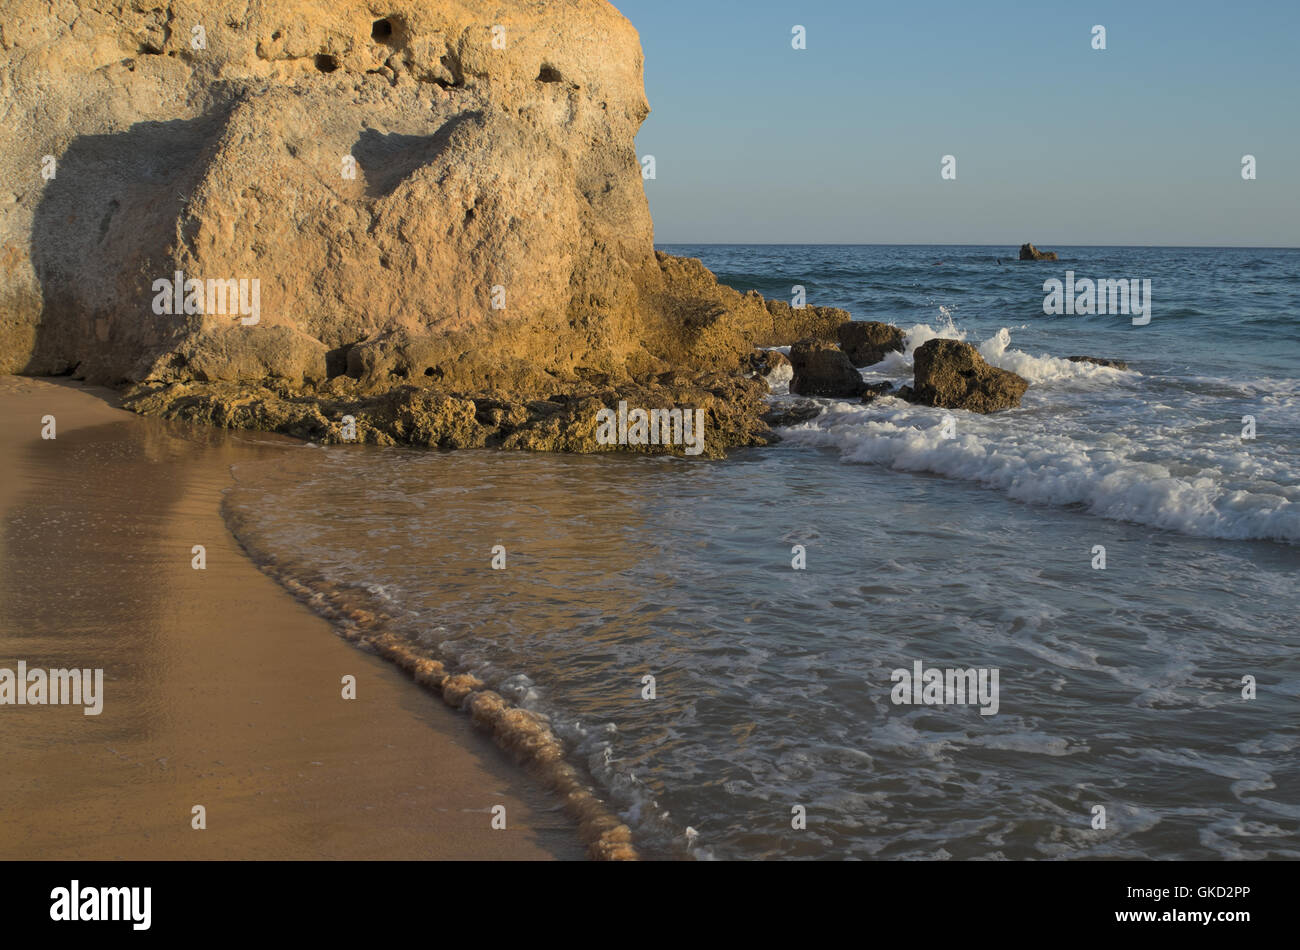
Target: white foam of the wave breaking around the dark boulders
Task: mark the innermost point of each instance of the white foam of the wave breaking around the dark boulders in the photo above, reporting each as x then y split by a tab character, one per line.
1085	437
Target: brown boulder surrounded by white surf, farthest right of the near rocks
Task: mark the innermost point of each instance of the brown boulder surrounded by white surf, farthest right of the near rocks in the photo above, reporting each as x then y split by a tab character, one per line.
952	375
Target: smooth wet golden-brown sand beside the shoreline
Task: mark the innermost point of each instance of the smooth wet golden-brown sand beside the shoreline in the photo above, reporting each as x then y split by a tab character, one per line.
220	689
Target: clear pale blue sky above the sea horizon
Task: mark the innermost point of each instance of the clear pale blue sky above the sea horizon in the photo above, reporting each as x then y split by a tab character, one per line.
1056	142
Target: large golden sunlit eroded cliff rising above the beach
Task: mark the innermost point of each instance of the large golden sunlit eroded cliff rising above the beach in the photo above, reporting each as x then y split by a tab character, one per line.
424	194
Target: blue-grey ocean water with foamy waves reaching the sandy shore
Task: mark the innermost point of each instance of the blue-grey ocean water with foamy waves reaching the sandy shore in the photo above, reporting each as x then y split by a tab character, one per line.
1119	688
